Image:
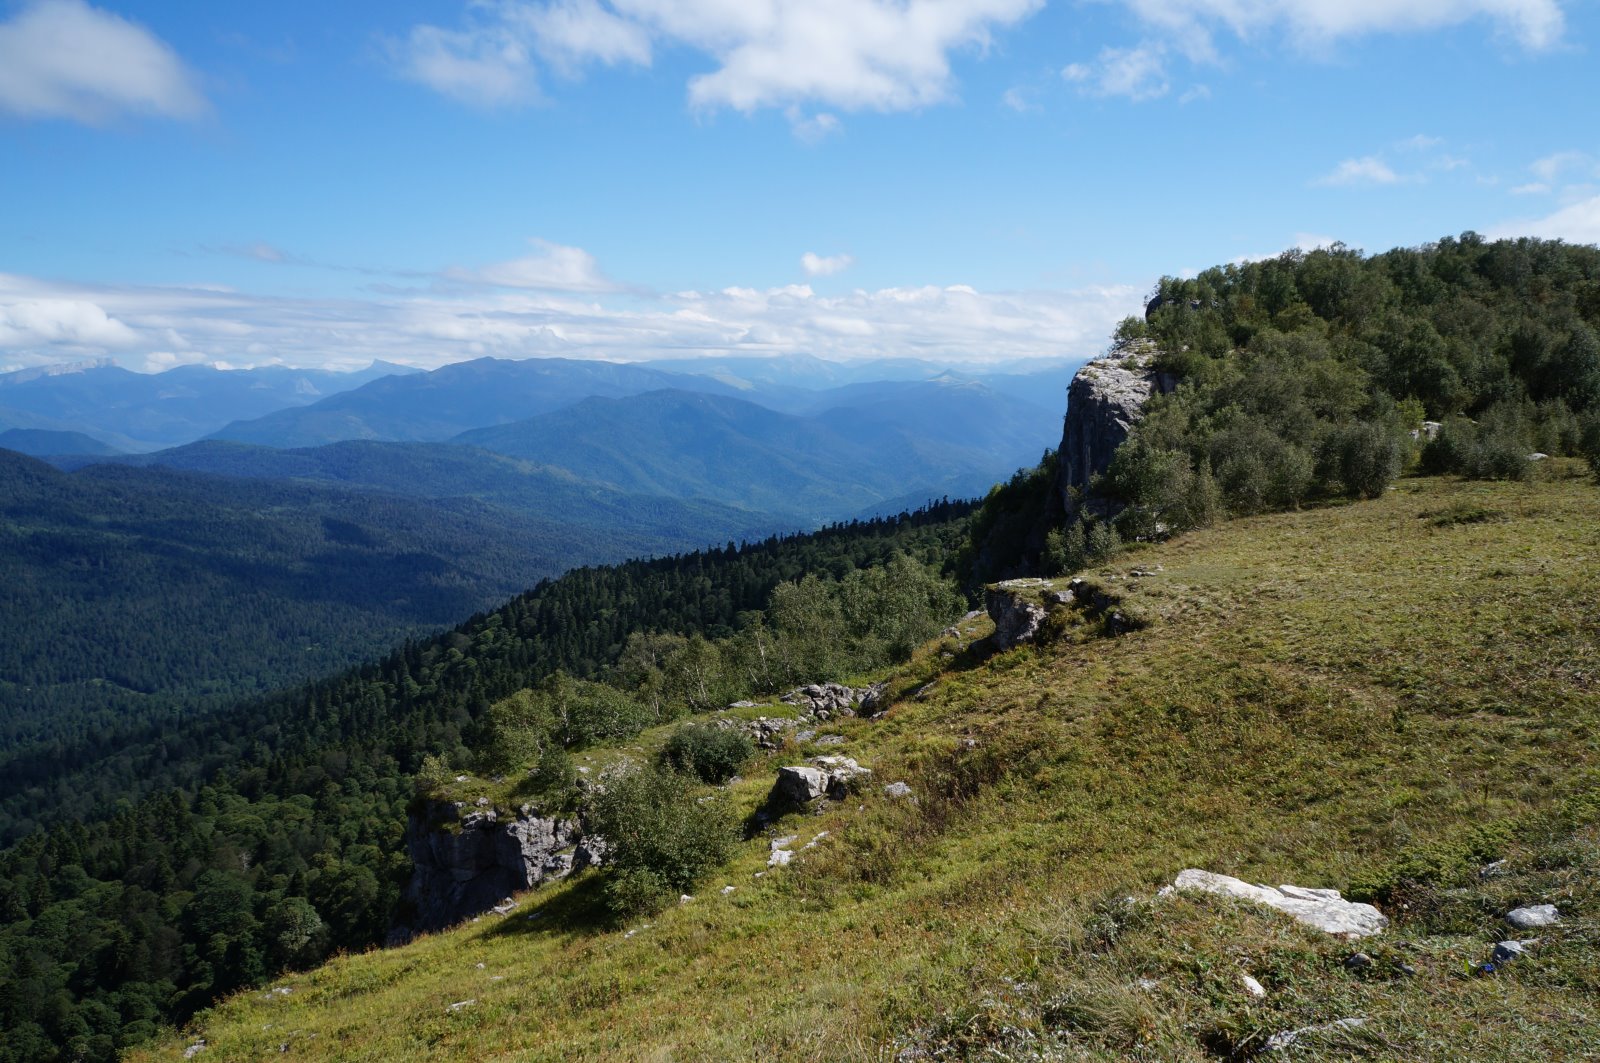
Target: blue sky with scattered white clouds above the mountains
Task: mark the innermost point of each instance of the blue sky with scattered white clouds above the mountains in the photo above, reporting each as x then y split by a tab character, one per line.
324	185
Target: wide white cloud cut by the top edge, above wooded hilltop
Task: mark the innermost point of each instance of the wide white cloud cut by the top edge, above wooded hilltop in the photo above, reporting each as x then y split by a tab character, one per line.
1314	25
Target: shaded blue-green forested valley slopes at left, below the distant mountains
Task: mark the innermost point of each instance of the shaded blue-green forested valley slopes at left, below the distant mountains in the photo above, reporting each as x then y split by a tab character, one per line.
134	596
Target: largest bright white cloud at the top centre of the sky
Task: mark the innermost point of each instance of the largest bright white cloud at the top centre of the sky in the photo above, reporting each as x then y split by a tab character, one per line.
852	55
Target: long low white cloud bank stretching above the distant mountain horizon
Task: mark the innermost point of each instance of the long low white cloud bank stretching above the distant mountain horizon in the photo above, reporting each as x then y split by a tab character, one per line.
166	326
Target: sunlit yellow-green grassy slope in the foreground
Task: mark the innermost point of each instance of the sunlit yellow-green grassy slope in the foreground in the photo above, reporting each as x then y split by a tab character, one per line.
1319	697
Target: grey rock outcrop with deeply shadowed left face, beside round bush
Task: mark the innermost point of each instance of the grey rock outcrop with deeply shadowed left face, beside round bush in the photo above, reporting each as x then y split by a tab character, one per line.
465	865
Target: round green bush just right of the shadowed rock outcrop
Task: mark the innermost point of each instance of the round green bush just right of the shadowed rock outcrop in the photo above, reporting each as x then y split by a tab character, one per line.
662	840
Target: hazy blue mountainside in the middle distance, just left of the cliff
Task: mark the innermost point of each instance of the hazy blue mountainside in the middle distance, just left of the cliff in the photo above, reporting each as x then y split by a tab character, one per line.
916	439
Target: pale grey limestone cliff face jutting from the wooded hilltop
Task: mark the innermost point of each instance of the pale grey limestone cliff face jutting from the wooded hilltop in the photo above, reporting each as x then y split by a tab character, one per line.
1105	401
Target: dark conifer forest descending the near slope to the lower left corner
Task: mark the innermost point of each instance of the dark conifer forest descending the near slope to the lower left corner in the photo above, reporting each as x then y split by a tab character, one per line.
274	833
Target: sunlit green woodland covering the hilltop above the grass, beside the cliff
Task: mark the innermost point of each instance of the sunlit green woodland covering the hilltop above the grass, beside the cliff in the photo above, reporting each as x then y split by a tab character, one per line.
1326	375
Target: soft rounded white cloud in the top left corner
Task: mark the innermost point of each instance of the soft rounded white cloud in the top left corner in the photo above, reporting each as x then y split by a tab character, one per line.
68	60
